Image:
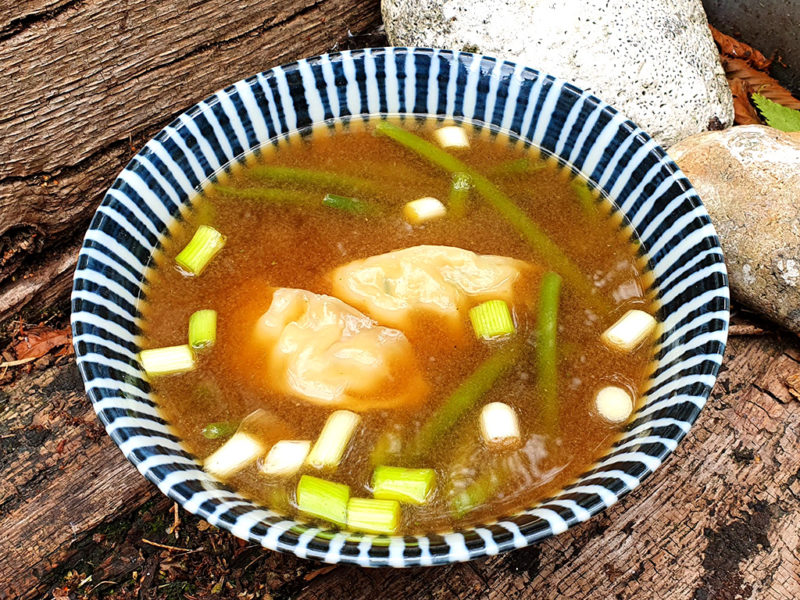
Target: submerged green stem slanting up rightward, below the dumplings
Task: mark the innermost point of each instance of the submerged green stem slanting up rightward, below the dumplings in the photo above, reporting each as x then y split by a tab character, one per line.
461	400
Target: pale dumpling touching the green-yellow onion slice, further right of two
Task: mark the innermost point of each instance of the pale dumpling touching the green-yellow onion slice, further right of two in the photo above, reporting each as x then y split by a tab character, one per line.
439	280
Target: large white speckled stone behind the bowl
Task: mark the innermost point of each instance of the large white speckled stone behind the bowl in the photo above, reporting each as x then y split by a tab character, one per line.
655	61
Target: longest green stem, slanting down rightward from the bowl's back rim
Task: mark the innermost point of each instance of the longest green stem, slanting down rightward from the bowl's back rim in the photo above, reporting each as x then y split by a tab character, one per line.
537	239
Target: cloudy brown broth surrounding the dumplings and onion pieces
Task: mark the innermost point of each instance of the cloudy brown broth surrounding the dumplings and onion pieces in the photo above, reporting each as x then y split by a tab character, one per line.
271	245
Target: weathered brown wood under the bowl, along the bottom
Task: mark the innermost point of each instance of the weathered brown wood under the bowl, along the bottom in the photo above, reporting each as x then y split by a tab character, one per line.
721	520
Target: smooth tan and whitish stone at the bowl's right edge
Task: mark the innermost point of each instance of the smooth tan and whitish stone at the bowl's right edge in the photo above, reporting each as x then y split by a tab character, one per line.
749	180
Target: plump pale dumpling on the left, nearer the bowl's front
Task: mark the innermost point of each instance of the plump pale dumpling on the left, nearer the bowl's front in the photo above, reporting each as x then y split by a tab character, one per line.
324	351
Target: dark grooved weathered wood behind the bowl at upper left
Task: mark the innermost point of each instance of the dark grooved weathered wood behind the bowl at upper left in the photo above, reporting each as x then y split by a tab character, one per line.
86	82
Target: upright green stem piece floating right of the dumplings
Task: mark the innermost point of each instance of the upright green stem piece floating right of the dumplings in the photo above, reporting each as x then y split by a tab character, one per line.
546	349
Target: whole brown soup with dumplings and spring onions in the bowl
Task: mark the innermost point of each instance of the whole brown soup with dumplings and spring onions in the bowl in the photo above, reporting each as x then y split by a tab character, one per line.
398	328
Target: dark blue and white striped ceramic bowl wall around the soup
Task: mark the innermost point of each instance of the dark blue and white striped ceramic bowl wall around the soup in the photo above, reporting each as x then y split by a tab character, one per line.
153	192
